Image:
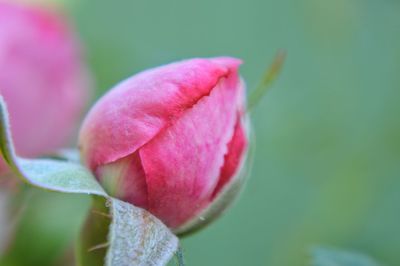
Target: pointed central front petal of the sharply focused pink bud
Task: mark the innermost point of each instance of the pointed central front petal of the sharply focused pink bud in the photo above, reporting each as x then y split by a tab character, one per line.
182	164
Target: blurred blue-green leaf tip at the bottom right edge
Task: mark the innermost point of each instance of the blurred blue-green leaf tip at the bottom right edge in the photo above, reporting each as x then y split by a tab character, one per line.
335	257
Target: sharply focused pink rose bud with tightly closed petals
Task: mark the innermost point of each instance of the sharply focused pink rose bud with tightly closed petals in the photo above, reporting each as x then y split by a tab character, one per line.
171	140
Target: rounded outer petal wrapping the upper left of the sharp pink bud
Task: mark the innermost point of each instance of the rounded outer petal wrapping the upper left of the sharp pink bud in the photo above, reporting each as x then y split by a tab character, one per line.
134	112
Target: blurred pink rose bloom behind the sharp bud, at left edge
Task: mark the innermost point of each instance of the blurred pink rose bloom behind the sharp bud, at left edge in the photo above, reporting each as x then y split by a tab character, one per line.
42	78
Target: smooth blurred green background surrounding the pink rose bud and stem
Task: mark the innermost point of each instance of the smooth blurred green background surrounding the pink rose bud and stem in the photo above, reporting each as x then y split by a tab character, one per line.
327	163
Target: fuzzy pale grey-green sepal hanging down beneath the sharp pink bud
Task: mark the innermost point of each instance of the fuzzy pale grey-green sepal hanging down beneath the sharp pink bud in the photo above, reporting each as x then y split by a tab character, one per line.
150	242
